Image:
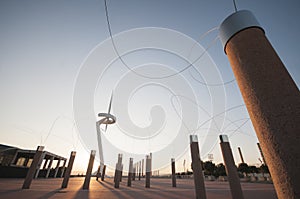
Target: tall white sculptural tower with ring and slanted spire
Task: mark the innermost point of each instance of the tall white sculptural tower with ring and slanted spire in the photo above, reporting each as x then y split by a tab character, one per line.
106	118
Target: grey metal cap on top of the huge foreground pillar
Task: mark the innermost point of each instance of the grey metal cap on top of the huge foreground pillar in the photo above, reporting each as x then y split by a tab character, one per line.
235	23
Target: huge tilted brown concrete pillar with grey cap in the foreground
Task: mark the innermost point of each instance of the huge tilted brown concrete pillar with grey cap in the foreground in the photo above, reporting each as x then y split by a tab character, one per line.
271	97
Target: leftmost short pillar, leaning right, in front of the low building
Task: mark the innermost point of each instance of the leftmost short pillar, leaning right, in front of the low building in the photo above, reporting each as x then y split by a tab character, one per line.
35	163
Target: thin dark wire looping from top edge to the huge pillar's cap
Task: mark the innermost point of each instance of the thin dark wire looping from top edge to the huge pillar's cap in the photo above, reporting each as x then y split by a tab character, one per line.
145	76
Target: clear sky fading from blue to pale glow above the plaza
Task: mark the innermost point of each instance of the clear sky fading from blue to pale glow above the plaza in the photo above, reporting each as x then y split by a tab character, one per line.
58	68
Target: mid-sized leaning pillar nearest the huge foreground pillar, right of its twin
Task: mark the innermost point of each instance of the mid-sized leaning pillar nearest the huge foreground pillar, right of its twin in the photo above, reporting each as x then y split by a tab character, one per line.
231	170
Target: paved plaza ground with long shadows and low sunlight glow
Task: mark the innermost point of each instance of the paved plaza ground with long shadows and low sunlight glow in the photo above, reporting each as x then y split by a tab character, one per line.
160	188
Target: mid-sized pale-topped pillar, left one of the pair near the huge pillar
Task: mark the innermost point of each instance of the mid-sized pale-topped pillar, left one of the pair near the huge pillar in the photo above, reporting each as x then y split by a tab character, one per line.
197	168
